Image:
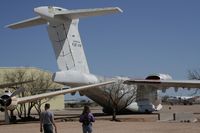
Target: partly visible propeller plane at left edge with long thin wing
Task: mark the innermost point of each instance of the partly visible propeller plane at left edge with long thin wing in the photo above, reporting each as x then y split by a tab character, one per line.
9	101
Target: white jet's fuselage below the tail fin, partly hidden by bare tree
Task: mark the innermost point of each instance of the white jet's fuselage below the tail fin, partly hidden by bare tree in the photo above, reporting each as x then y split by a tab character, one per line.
145	101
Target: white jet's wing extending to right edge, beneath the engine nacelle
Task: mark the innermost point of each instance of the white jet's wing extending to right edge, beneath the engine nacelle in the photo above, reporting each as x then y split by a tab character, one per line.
166	83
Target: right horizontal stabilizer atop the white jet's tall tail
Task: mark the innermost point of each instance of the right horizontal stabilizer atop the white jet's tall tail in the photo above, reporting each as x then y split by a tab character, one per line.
74	14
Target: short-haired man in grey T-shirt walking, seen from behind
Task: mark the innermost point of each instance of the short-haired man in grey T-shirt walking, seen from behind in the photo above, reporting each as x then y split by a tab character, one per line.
47	120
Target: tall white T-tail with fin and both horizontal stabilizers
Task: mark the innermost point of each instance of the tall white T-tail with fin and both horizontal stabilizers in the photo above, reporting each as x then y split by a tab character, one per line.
64	34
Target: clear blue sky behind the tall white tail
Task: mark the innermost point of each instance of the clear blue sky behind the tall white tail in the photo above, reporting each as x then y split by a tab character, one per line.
150	36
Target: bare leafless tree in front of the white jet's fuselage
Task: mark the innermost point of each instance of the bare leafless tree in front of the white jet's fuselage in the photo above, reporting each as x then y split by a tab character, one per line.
119	96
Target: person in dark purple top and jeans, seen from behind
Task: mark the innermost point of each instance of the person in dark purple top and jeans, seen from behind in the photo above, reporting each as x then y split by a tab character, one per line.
86	119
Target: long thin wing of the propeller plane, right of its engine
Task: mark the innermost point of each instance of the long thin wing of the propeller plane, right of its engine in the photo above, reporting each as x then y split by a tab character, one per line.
56	93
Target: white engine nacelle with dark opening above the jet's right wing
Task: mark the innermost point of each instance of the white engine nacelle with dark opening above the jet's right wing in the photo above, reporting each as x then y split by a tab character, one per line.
159	77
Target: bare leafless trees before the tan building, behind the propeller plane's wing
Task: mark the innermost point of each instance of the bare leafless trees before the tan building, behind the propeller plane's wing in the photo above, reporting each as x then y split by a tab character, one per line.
42	83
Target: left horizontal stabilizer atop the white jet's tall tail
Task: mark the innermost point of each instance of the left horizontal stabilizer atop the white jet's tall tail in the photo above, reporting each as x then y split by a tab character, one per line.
27	23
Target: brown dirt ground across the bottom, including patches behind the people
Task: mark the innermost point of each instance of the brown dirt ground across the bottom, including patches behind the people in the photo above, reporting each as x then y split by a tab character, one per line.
128	124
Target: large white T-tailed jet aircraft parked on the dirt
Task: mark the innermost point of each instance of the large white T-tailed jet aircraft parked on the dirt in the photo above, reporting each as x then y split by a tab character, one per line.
62	27
